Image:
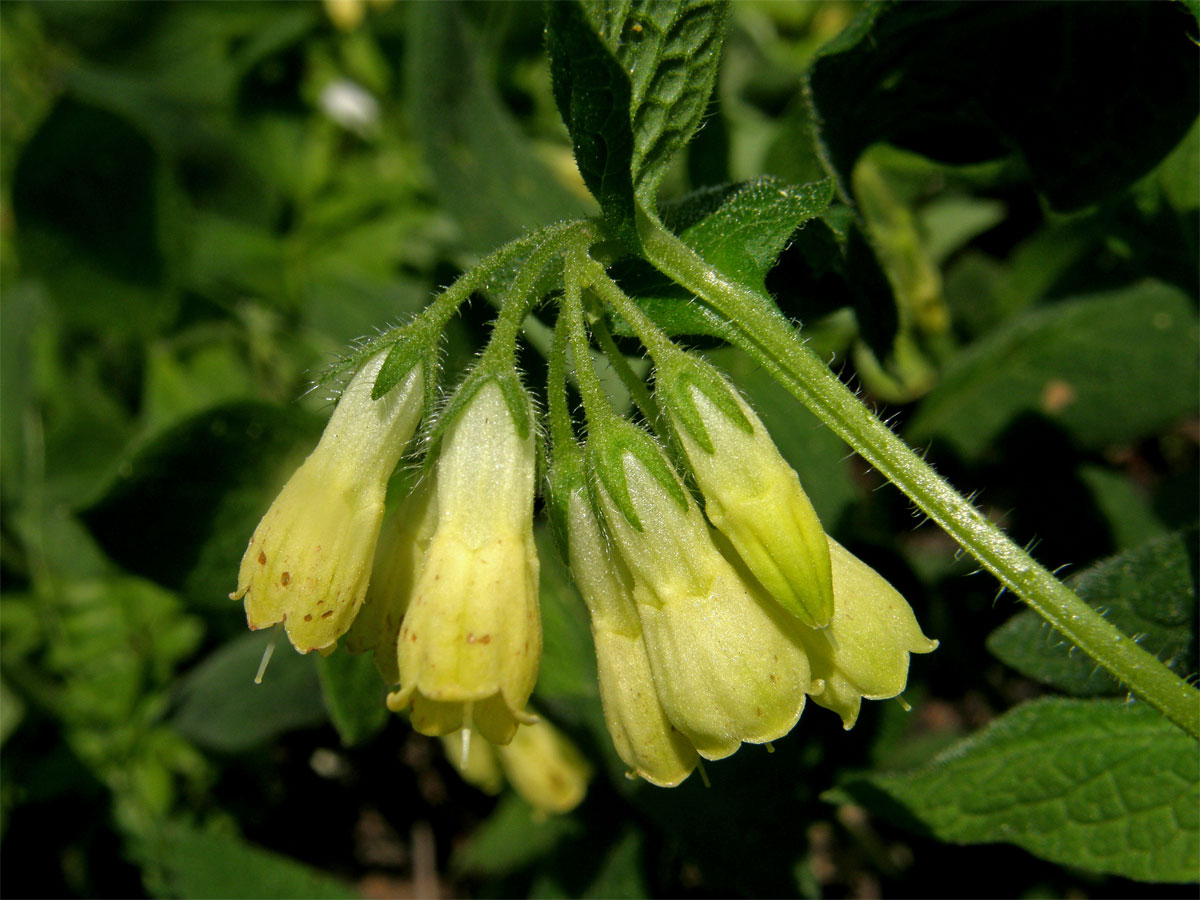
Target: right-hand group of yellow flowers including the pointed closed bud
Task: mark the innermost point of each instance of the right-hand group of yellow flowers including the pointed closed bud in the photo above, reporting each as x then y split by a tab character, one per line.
713	632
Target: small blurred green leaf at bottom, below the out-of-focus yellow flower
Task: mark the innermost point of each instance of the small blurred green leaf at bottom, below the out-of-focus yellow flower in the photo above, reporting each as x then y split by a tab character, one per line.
511	839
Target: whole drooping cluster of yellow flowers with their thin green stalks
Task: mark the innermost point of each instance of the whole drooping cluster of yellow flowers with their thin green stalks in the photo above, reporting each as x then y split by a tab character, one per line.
718	603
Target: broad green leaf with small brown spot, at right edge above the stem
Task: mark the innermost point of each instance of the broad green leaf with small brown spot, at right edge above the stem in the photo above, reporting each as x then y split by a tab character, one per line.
1107	369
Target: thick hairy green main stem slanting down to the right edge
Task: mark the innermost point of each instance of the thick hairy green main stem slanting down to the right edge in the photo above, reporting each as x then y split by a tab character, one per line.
771	340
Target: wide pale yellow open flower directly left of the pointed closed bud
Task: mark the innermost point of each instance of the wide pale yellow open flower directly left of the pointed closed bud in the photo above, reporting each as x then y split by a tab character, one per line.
728	664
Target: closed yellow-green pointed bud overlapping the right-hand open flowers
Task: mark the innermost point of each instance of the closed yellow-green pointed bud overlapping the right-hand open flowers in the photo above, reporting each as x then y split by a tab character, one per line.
752	495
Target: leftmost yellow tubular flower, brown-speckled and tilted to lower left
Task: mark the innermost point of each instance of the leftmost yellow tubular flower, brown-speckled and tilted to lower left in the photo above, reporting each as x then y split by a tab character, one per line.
309	562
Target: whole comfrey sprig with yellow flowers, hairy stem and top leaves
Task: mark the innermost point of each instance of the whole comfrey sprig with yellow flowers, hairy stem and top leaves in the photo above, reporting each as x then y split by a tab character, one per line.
718	603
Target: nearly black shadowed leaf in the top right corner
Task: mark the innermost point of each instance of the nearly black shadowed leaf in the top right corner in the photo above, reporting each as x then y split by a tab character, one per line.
939	80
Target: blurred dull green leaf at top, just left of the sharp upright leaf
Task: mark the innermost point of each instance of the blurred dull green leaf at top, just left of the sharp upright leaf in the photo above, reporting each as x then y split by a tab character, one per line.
487	171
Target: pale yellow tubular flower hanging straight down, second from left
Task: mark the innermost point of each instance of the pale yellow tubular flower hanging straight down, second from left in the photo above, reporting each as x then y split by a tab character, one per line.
471	643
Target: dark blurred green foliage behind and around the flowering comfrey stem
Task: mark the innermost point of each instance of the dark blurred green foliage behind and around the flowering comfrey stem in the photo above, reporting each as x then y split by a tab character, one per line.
205	203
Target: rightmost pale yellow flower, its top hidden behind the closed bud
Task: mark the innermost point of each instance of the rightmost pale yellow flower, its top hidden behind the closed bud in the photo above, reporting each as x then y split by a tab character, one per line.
866	653
